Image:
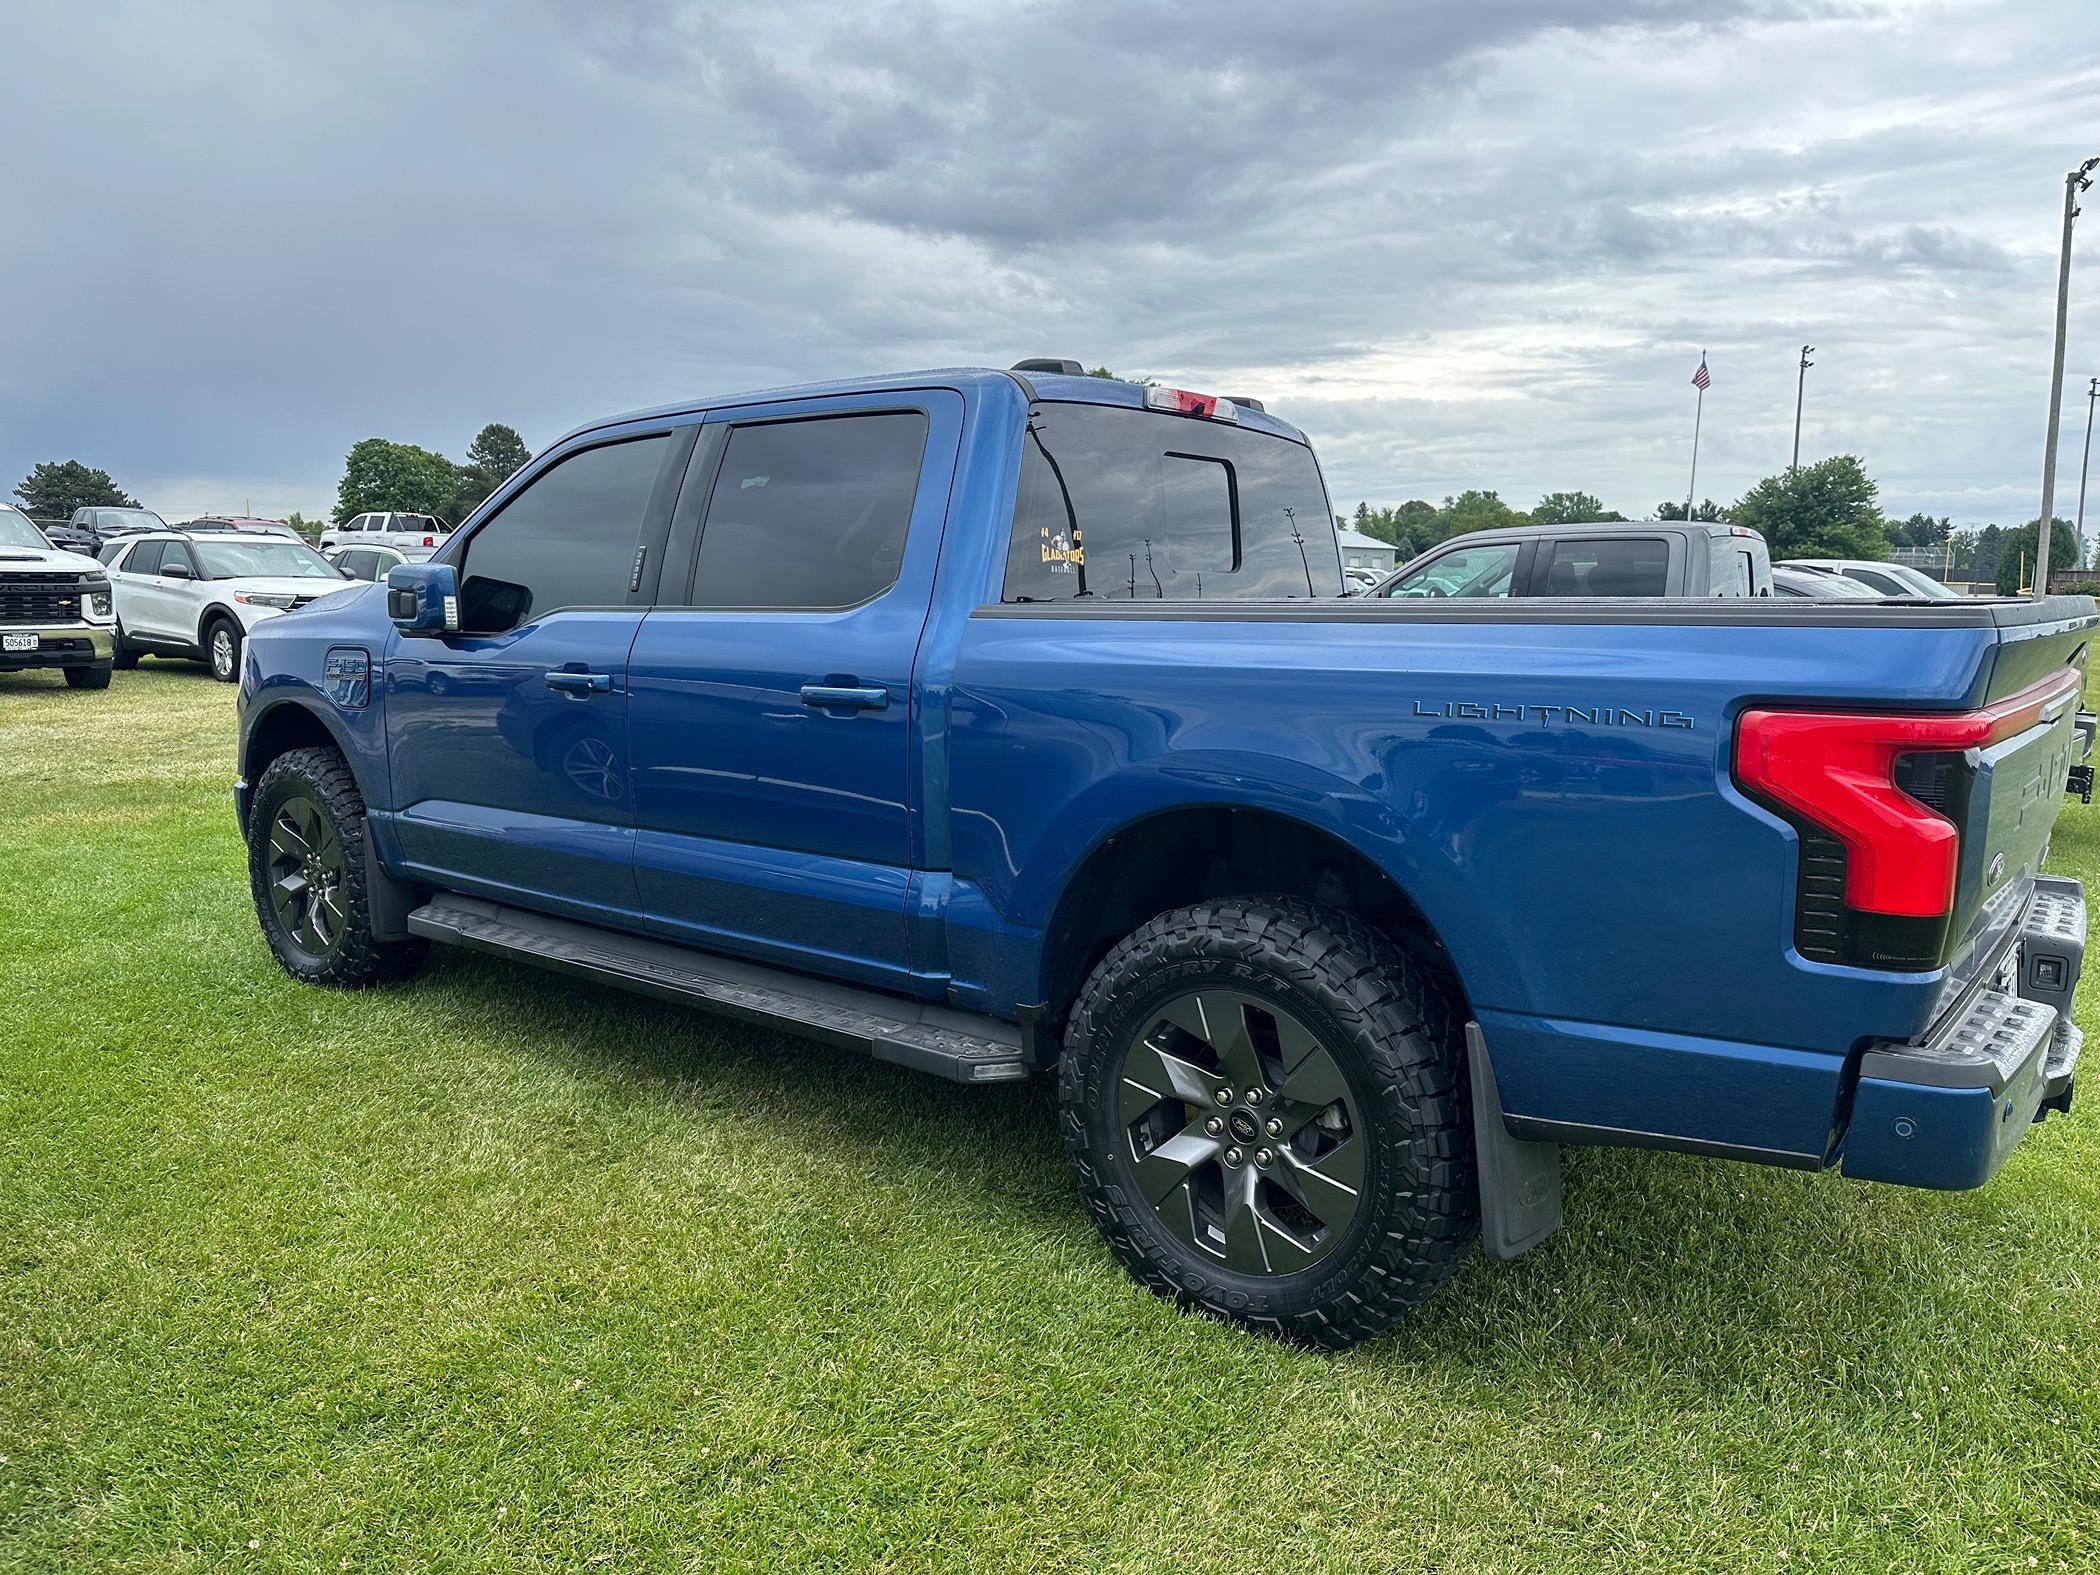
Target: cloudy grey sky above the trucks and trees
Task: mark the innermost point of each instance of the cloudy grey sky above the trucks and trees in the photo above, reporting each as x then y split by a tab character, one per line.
1463	245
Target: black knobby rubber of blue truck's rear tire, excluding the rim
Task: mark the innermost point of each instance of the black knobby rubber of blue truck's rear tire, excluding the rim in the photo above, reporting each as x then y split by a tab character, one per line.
1395	1036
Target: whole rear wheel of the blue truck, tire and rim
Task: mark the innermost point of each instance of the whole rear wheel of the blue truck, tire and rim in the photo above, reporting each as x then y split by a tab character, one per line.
1265	1112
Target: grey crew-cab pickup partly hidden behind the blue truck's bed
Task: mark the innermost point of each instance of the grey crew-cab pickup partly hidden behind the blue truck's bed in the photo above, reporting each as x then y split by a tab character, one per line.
1612	560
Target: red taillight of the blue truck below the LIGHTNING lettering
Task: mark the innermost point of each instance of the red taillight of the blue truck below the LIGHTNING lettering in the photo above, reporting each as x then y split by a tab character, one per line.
1839	770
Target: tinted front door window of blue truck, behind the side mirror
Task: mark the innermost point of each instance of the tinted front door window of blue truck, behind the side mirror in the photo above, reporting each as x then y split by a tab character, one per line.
568	541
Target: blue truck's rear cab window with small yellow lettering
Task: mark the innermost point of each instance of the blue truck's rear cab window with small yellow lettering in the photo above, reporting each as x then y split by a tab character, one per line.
1131	505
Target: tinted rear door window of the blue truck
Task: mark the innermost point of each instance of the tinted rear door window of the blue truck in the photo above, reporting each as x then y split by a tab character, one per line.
810	513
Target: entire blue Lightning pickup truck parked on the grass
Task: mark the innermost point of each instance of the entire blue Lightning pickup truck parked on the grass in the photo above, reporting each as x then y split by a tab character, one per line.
1015	721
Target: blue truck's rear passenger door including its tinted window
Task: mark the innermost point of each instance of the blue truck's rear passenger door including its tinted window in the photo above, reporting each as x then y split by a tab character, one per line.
774	702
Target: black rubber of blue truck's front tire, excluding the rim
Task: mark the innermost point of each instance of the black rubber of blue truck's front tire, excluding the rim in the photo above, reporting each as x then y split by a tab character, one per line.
352	959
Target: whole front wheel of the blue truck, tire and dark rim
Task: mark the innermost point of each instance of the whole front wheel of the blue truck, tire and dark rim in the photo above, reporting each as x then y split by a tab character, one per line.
308	875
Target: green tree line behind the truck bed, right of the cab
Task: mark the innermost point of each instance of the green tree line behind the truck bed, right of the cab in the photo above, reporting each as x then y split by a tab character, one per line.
1830	509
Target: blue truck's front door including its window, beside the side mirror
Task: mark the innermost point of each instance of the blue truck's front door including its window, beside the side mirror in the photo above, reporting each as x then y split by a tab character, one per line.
509	740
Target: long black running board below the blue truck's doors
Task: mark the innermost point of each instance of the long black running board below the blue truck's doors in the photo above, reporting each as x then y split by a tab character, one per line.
923	1036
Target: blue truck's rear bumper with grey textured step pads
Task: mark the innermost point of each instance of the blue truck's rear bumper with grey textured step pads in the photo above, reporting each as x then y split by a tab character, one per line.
1948	1112
